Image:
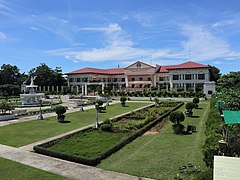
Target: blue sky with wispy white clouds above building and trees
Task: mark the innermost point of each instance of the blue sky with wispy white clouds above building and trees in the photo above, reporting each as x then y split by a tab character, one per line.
74	34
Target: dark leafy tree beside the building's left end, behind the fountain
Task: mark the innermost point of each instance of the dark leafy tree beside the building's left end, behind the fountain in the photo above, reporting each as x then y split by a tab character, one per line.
47	76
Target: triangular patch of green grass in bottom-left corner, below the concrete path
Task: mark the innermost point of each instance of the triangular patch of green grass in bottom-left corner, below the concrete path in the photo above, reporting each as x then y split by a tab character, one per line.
13	170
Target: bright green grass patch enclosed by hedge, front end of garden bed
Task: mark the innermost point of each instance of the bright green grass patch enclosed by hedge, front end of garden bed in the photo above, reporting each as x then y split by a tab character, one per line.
88	144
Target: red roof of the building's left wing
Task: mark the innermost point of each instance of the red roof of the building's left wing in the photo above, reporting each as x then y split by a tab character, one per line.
87	70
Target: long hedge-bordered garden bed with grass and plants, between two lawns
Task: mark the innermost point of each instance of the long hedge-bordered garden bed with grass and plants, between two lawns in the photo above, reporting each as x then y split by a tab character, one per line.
91	146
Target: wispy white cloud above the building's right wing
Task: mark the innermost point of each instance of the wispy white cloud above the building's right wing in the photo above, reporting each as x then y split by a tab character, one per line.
205	45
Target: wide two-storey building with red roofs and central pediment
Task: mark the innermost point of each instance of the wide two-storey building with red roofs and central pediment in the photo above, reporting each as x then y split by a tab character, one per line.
188	76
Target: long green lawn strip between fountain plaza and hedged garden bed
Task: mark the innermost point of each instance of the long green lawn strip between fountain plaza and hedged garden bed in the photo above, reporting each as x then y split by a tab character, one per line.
24	133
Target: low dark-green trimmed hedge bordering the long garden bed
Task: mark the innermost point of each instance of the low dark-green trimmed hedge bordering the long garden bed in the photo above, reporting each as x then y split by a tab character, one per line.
42	148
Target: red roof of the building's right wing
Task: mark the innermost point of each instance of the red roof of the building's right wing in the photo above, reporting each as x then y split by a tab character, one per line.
186	65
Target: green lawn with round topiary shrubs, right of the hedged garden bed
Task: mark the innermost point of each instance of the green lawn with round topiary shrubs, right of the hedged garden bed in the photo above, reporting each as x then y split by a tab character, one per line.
159	156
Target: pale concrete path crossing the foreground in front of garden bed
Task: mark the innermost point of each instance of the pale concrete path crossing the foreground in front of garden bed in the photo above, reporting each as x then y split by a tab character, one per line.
61	167
